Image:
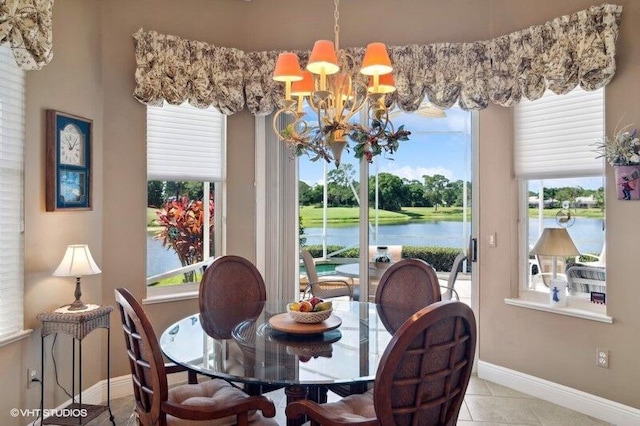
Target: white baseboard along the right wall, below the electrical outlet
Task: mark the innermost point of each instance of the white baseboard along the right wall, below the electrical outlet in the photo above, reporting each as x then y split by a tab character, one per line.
582	402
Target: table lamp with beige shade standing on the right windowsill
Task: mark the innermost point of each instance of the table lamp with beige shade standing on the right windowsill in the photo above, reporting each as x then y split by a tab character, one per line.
555	242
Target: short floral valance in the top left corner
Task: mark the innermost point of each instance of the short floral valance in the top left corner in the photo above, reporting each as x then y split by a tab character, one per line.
27	26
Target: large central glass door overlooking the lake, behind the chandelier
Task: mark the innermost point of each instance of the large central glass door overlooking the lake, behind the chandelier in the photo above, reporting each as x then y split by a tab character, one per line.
409	193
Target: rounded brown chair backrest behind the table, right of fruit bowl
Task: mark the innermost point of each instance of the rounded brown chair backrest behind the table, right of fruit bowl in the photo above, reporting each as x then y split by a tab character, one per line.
410	284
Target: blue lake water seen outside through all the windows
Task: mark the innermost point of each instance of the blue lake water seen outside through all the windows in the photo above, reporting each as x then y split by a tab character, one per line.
586	234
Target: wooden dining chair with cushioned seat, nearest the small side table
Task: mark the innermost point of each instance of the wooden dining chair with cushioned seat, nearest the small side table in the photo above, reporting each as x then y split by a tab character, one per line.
157	405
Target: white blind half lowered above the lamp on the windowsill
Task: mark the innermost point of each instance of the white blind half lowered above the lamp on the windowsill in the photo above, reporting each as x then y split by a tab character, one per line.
555	135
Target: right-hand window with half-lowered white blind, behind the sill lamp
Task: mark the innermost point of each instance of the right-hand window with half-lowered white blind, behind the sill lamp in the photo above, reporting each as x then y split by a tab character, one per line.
561	183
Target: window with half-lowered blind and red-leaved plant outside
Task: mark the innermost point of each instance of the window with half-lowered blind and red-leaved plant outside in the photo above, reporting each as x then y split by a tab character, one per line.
185	158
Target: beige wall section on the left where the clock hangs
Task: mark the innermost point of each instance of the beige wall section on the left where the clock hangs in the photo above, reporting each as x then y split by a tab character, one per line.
71	83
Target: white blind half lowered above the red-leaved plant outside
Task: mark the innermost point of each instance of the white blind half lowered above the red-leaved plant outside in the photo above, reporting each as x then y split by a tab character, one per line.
185	143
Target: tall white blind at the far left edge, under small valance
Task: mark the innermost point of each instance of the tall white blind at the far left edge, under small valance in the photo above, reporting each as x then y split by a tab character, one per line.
12	135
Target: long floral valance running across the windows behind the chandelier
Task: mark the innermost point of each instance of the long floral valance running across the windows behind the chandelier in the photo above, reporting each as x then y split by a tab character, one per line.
560	54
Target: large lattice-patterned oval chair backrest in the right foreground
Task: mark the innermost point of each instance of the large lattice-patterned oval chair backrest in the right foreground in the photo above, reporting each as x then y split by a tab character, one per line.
425	370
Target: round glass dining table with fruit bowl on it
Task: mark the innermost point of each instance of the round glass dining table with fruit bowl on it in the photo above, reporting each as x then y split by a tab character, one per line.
239	343
